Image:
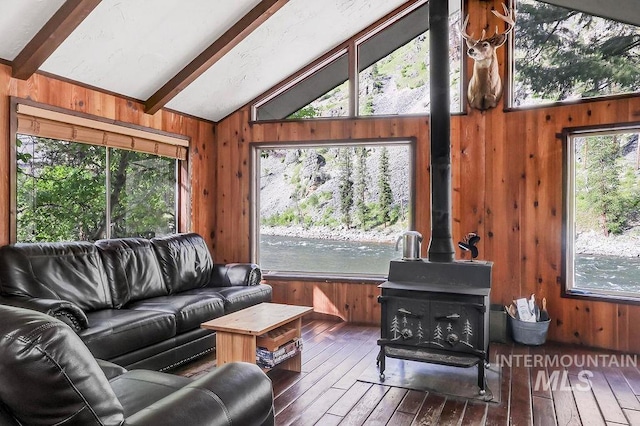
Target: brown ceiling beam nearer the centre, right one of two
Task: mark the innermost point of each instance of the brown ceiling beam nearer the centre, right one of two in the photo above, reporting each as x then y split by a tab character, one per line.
238	32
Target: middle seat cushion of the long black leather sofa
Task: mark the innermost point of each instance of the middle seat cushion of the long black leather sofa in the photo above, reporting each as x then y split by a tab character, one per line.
190	310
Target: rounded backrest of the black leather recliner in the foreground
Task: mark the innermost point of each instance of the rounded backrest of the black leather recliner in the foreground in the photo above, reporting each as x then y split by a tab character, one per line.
48	374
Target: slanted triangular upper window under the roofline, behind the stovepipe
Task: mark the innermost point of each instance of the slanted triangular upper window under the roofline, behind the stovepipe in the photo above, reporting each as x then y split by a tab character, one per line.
393	74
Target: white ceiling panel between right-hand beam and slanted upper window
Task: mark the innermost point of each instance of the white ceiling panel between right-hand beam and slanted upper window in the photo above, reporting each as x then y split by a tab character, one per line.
293	37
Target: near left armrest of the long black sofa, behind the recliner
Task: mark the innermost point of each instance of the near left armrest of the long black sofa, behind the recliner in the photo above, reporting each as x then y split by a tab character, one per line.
65	311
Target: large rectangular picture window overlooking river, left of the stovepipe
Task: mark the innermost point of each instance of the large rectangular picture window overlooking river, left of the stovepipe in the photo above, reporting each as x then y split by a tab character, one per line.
330	209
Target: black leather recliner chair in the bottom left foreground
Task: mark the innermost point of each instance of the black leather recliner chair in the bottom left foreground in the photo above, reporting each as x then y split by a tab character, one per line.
48	376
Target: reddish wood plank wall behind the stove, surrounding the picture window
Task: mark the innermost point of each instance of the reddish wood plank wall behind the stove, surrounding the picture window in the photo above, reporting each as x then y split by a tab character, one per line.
507	183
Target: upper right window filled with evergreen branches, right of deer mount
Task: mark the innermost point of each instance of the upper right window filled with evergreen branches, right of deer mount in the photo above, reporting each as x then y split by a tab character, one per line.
561	54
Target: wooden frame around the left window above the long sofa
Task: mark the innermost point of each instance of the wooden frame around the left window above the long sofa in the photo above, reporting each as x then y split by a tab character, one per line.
97	123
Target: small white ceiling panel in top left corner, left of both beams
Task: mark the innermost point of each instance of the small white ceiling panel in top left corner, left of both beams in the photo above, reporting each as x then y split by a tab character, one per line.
20	20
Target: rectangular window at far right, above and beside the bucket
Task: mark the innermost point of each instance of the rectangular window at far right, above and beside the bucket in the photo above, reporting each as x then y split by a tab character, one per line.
603	212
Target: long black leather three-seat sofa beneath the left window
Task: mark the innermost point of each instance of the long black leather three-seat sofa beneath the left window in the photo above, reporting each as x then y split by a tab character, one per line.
135	302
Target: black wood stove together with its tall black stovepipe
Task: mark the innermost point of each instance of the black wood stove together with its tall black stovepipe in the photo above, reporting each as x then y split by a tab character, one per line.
437	309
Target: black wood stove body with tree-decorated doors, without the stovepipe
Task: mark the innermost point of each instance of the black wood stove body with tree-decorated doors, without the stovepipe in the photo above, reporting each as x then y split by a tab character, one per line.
436	312
